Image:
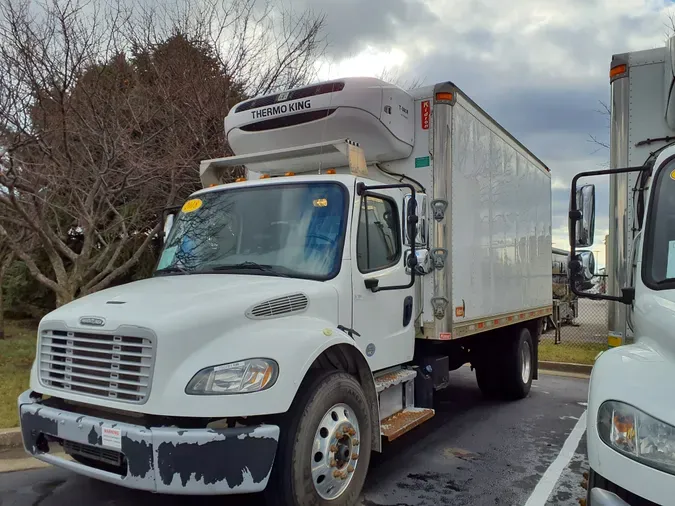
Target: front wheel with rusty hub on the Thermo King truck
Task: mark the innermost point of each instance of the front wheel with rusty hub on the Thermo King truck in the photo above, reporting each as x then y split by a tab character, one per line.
324	450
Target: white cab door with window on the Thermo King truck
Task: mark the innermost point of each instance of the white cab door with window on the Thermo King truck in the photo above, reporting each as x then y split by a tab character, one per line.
383	317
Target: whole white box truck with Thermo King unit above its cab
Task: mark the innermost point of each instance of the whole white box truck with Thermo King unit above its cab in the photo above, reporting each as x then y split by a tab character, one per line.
304	314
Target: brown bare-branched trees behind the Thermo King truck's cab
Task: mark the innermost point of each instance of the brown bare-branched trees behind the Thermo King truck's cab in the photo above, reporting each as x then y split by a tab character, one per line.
104	116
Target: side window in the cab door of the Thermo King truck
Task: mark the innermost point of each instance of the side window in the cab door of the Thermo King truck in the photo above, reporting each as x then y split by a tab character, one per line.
378	242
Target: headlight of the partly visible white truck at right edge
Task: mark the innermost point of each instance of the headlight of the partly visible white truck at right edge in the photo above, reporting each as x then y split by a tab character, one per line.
637	435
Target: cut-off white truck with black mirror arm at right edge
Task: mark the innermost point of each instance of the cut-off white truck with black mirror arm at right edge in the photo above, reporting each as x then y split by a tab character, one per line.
631	416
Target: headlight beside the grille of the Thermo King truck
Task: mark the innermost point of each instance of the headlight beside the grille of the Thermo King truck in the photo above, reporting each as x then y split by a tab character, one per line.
241	377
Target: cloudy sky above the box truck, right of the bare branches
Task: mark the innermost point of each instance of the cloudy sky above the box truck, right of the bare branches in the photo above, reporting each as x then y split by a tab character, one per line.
539	67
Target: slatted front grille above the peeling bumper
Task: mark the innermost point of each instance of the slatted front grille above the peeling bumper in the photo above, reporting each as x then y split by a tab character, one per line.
110	366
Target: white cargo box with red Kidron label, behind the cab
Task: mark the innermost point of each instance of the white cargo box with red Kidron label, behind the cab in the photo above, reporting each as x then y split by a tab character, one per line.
495	233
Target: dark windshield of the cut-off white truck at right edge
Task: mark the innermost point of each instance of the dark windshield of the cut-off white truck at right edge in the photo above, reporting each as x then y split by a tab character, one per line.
659	261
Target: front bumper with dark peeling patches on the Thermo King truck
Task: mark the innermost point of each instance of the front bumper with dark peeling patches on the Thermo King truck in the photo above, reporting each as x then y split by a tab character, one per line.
156	459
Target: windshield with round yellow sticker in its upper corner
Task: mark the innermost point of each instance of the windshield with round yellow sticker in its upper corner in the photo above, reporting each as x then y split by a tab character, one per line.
285	229
